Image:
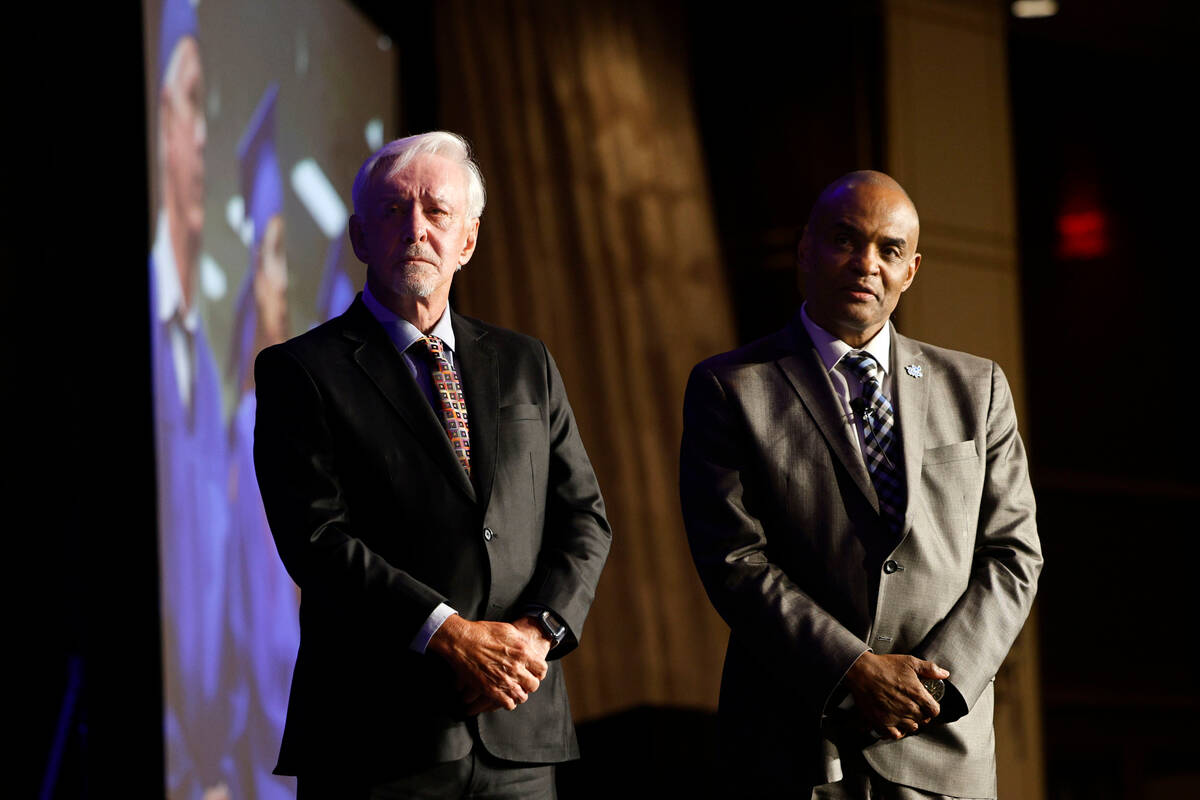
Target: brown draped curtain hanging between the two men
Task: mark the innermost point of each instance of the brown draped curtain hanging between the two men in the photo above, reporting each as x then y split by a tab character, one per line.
599	239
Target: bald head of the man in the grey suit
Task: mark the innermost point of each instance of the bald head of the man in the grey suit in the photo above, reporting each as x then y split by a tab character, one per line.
859	255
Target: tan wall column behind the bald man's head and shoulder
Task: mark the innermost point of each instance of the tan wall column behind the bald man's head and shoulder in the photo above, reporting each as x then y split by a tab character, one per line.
950	143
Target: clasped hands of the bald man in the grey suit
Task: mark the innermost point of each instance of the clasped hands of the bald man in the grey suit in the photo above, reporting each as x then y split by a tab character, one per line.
890	695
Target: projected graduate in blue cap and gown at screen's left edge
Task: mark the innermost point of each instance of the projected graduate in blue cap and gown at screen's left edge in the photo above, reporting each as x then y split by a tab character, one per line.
193	471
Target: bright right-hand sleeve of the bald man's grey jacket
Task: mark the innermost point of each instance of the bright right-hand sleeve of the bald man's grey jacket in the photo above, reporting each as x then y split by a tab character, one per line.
975	639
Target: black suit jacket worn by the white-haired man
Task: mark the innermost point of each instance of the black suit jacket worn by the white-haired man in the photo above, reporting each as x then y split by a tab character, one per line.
377	522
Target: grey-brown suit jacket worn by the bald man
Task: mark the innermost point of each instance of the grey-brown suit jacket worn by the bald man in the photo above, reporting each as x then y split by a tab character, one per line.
785	530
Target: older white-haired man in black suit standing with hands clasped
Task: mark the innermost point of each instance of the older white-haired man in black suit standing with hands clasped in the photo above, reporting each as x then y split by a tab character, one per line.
428	490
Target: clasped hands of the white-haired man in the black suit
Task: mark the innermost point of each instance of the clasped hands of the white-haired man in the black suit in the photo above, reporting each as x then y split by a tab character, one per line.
497	665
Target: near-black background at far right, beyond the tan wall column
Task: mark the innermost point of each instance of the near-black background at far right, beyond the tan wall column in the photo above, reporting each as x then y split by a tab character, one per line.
1097	97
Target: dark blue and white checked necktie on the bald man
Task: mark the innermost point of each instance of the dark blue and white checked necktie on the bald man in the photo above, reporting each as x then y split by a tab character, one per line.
880	442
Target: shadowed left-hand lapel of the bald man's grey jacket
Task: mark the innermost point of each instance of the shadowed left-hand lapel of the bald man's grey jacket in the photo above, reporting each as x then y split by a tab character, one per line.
808	376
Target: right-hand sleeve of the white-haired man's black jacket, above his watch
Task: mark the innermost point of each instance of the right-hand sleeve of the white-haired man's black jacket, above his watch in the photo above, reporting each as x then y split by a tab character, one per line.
577	538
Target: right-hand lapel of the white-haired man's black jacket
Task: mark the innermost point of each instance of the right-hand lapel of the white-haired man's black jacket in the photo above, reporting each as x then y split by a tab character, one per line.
481	374
